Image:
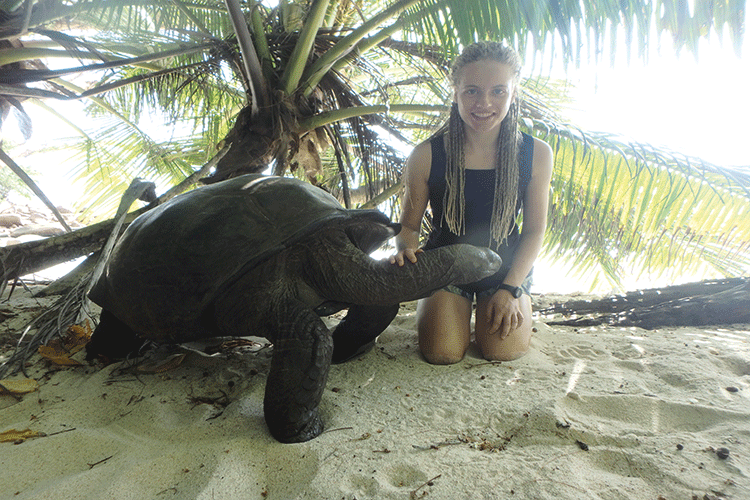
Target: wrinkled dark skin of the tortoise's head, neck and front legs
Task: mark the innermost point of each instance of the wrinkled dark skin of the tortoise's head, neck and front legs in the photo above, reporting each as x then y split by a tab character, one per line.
303	346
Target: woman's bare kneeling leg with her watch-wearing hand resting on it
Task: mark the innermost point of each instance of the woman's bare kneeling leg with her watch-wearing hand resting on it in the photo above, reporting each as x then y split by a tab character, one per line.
515	345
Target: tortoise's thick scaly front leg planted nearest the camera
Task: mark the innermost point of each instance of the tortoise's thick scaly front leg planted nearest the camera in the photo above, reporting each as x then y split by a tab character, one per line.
302	349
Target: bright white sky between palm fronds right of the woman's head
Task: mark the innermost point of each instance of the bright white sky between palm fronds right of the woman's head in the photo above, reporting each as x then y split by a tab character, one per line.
698	107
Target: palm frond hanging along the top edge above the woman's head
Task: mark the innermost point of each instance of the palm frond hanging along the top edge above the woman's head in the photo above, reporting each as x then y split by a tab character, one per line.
574	29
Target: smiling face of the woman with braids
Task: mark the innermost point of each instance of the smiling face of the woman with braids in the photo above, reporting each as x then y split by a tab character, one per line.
484	94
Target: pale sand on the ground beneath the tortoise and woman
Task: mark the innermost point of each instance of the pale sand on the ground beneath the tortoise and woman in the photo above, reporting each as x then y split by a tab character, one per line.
399	428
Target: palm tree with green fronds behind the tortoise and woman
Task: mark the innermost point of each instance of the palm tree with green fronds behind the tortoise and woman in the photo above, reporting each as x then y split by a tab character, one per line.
326	89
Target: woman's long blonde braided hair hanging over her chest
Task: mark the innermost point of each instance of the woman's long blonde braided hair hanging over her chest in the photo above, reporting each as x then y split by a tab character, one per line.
506	166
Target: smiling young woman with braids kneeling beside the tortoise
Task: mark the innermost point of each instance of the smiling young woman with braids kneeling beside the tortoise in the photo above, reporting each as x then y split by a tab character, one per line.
478	173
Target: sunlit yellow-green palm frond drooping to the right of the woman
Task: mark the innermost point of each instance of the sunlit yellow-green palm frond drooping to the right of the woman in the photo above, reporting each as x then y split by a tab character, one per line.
618	203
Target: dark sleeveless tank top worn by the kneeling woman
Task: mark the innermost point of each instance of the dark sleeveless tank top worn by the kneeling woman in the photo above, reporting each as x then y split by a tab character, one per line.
479	197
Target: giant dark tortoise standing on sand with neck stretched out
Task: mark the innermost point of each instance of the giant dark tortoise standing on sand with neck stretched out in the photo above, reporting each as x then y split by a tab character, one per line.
267	256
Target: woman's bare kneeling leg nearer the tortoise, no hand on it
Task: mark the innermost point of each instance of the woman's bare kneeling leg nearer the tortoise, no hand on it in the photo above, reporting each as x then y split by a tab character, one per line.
444	327
